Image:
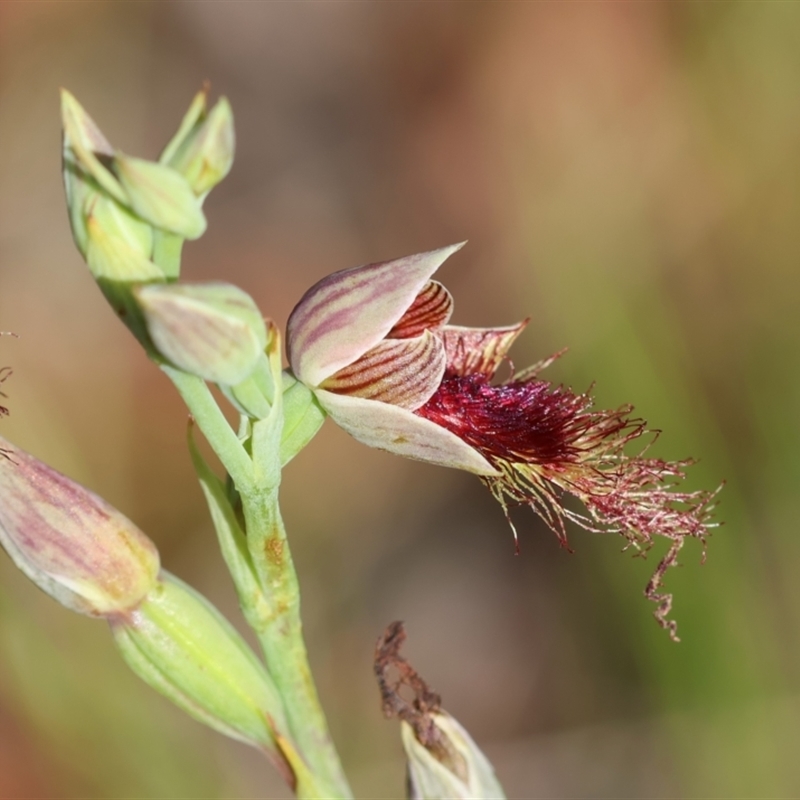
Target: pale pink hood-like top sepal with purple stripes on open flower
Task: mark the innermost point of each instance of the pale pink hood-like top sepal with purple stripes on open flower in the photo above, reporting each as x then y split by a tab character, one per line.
346	314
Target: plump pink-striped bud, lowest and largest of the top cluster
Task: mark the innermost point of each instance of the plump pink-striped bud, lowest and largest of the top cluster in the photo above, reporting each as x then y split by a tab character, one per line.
212	330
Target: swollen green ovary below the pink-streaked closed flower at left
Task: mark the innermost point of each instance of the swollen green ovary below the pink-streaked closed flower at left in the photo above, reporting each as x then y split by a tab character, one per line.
184	648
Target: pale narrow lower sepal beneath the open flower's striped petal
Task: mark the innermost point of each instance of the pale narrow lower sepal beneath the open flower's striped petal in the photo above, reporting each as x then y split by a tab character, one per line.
402	432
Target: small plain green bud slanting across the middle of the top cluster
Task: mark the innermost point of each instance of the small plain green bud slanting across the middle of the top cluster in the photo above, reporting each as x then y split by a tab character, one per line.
160	195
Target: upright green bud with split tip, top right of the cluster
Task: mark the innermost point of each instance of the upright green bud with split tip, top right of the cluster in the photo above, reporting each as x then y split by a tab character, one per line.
202	149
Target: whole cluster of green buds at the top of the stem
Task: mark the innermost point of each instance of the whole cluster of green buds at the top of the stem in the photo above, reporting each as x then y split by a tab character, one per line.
129	218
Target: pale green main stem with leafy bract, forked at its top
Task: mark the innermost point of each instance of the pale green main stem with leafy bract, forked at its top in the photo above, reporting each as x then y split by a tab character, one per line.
261	565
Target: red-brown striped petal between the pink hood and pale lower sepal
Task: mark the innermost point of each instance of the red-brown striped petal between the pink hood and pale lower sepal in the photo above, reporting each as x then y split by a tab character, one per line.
401	372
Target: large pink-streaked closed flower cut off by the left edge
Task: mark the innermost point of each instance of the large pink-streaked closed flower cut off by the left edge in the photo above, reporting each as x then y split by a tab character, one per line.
69	541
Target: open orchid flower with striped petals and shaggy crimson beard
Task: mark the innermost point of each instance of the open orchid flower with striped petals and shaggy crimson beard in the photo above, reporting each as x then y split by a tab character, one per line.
374	345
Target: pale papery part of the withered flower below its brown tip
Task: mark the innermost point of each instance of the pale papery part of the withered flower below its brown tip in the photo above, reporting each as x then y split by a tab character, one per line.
463	773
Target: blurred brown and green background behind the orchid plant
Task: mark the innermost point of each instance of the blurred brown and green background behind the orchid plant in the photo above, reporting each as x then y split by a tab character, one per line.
628	174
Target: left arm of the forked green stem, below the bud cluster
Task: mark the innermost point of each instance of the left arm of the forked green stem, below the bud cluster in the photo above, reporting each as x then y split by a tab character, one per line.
212	423
